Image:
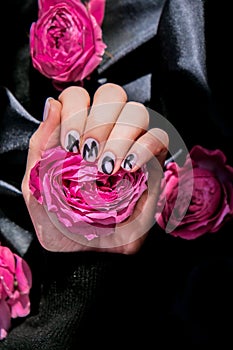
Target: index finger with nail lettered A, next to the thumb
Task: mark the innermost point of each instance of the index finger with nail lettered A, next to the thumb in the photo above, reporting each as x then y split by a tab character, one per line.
75	103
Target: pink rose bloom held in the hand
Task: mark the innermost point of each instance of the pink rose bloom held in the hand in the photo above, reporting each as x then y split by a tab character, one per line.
84	200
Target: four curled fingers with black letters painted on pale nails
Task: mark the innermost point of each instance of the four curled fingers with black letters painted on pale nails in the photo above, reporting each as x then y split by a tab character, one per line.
114	131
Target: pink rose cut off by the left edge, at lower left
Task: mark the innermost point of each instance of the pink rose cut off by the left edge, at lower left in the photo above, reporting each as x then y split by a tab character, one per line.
15	285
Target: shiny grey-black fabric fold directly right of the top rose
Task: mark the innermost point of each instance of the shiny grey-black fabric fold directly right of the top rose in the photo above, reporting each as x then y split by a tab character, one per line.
127	25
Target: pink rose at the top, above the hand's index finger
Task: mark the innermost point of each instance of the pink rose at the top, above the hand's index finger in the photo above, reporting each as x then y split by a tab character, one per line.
66	41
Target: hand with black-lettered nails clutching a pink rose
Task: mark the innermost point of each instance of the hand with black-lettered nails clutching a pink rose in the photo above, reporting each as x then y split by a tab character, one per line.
117	127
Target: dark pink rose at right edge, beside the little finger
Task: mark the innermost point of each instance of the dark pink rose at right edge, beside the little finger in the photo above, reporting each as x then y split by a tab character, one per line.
210	181
